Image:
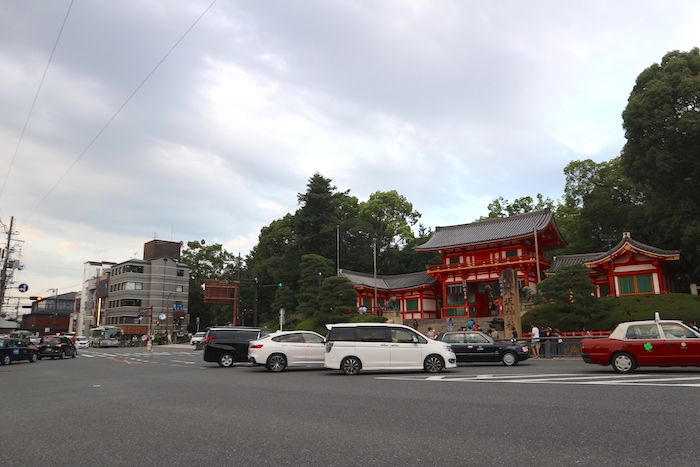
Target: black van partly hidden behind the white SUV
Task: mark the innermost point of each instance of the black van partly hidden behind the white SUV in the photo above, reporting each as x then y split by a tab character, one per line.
227	345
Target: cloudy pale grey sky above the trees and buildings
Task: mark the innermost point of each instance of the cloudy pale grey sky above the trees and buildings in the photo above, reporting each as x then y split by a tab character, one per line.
124	121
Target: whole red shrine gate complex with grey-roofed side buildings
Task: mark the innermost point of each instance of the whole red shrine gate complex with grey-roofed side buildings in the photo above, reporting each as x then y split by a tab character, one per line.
467	281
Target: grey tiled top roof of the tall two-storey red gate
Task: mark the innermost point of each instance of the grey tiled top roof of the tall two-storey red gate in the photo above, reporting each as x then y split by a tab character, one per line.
491	230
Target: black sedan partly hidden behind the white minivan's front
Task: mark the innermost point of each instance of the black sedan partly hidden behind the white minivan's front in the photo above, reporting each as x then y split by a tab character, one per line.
475	346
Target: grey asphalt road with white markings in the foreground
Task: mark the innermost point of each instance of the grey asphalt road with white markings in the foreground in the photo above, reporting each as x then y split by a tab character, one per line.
126	407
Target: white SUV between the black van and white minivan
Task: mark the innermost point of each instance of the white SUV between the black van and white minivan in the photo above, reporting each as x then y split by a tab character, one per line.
288	348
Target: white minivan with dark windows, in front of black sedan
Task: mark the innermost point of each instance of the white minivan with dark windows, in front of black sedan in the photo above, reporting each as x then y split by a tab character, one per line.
352	347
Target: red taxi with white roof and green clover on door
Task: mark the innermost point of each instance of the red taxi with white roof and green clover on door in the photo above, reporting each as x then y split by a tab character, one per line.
645	343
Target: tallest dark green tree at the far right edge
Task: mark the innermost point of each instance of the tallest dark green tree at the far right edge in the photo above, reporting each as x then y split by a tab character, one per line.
662	127
